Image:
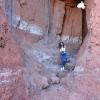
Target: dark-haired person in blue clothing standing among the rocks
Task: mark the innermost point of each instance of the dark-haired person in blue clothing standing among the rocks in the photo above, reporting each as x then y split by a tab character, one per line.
63	55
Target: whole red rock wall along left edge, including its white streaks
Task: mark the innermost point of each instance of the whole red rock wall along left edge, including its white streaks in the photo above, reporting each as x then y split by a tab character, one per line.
11	62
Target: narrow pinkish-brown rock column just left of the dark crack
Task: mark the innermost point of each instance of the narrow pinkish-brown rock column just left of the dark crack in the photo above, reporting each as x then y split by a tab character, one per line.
58	14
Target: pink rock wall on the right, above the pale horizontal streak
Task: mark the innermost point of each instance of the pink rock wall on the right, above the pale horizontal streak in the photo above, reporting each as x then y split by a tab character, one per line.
89	55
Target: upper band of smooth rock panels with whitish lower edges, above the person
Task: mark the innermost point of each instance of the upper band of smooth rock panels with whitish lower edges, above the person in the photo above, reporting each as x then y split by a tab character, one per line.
49	17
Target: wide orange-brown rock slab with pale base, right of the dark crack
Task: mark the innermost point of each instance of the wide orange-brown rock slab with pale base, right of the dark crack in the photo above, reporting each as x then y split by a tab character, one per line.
72	24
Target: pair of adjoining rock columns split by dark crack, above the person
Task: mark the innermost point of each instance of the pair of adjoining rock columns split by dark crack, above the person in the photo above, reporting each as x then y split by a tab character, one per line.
67	21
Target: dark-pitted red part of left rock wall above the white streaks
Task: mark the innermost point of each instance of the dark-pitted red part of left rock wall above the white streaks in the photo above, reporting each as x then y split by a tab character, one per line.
8	46
